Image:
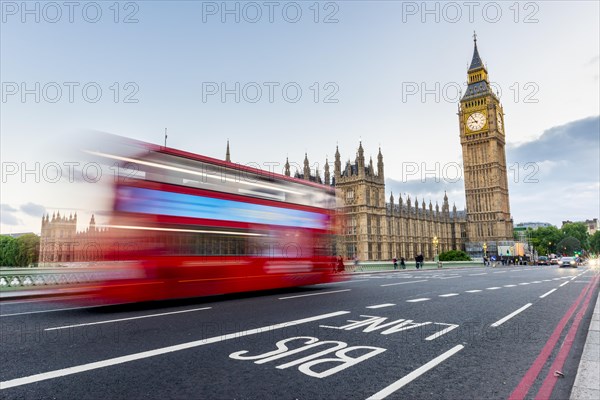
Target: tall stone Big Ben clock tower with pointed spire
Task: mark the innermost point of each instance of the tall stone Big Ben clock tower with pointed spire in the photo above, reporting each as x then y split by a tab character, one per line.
482	138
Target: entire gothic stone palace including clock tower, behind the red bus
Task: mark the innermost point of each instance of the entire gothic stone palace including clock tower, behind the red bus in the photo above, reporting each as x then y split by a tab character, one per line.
378	230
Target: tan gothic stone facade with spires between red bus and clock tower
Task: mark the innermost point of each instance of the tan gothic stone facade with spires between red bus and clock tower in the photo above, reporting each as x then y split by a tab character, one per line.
373	229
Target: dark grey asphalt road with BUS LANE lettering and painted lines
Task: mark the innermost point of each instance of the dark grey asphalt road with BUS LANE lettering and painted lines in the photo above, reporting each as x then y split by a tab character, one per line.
483	333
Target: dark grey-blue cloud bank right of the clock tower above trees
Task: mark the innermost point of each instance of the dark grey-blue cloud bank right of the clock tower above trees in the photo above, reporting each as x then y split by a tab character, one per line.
555	177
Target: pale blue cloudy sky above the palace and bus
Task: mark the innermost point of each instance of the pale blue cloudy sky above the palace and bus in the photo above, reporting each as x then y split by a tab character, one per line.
285	79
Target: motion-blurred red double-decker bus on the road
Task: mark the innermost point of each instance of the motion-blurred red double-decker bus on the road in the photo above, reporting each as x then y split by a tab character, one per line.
188	225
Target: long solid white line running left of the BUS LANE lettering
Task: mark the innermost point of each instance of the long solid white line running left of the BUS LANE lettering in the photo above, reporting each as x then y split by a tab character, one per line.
164	350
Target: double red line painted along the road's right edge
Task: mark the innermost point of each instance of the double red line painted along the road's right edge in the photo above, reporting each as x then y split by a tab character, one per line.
530	376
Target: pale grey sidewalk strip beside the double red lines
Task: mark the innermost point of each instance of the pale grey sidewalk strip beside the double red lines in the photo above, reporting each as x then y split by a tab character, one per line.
587	381
